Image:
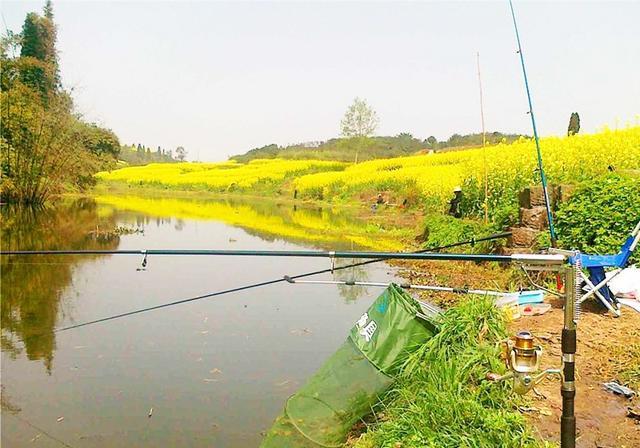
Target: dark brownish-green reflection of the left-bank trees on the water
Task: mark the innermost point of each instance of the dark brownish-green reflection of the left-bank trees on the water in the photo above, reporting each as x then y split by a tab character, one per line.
32	287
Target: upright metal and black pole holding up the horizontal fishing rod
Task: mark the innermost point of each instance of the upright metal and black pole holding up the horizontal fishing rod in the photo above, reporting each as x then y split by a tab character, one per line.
568	388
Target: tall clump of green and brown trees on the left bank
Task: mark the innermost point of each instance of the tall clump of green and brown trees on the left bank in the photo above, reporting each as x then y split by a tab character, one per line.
45	146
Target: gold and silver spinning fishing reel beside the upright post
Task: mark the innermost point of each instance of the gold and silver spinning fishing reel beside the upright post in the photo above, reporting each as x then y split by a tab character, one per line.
522	359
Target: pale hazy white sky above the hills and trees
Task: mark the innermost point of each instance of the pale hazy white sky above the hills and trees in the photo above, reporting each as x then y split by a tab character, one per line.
221	78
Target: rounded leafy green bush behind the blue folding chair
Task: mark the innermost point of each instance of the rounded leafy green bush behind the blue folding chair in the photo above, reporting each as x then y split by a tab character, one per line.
600	215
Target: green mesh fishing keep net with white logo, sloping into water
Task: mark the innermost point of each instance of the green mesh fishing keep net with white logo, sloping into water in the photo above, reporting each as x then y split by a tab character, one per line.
351	381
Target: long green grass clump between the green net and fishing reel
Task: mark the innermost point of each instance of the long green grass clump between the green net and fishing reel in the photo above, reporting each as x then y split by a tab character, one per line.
442	399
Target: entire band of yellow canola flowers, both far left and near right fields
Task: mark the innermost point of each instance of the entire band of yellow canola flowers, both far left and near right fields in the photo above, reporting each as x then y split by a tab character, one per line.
430	177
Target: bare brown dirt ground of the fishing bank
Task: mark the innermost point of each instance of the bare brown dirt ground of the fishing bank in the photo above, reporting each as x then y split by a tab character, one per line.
608	349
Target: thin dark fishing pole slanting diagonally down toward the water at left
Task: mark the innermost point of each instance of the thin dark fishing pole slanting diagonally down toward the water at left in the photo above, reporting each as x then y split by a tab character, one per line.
274	281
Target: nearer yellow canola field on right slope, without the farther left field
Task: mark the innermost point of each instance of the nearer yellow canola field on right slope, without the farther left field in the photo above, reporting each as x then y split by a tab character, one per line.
509	167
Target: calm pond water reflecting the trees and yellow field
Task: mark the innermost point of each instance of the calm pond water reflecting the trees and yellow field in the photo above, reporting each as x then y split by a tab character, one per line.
213	372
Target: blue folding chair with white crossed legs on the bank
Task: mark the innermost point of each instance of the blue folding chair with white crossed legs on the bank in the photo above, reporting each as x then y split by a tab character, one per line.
597	281
